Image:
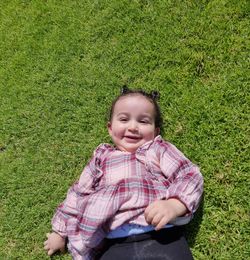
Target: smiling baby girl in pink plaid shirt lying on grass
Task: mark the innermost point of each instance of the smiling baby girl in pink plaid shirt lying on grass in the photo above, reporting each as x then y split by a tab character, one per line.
135	194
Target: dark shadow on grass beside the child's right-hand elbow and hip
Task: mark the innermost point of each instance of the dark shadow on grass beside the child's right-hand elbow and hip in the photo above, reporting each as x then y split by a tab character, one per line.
192	229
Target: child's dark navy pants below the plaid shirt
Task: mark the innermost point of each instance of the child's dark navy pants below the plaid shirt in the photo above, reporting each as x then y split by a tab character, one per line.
165	244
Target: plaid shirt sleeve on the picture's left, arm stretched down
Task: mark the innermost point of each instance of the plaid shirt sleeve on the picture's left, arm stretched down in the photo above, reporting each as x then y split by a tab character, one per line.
86	184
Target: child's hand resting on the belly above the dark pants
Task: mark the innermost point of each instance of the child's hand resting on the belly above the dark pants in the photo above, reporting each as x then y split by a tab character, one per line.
161	212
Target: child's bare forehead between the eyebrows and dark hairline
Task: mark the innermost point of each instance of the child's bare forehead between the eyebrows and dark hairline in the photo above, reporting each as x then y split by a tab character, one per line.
134	103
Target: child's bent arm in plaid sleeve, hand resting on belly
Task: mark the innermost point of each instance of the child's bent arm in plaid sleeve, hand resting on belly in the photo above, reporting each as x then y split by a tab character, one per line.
185	188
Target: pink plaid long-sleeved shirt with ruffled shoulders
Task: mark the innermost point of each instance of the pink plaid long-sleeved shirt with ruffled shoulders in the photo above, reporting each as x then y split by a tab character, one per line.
116	187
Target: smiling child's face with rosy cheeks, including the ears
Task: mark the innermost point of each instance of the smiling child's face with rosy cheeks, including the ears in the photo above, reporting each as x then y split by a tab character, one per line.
133	123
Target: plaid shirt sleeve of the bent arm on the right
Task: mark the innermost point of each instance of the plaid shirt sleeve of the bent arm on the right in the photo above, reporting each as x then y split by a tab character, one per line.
186	181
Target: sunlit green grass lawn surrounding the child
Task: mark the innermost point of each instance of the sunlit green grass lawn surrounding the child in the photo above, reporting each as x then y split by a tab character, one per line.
61	64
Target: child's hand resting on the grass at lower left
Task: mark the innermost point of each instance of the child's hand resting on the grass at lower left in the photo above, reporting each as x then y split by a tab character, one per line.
54	243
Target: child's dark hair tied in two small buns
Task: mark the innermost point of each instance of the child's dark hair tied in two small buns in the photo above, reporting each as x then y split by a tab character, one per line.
152	97
